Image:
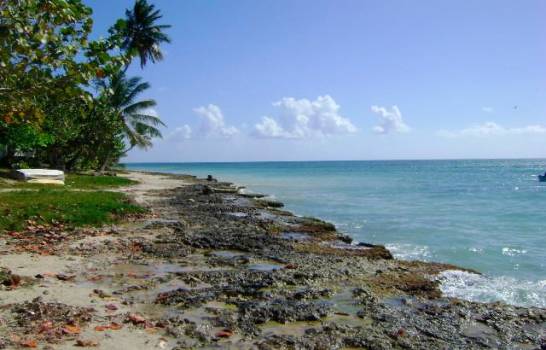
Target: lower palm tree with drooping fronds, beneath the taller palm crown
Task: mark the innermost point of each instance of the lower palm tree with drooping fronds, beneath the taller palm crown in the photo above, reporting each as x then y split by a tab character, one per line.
139	123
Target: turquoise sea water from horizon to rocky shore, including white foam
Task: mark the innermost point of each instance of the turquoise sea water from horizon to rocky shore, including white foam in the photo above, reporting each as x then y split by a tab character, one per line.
489	215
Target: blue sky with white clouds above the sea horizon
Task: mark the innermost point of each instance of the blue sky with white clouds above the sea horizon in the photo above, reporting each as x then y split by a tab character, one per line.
247	80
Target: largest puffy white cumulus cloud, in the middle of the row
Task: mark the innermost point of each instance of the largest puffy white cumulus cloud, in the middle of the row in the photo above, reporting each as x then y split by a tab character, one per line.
304	118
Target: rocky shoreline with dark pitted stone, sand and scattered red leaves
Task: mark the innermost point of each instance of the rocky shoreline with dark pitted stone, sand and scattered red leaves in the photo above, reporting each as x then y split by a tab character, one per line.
212	267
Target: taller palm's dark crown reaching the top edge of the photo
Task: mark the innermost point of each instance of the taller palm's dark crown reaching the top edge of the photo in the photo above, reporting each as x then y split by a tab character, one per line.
142	36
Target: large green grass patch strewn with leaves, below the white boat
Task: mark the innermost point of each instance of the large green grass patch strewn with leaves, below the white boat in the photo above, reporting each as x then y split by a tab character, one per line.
73	208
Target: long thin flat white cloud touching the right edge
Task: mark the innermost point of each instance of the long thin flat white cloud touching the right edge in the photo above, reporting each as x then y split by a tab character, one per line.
493	129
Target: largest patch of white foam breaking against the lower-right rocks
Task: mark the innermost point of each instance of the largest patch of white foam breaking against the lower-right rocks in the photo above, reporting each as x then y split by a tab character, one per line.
474	287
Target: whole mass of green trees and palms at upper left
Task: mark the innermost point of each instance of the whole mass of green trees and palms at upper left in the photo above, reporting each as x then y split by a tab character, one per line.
65	99
